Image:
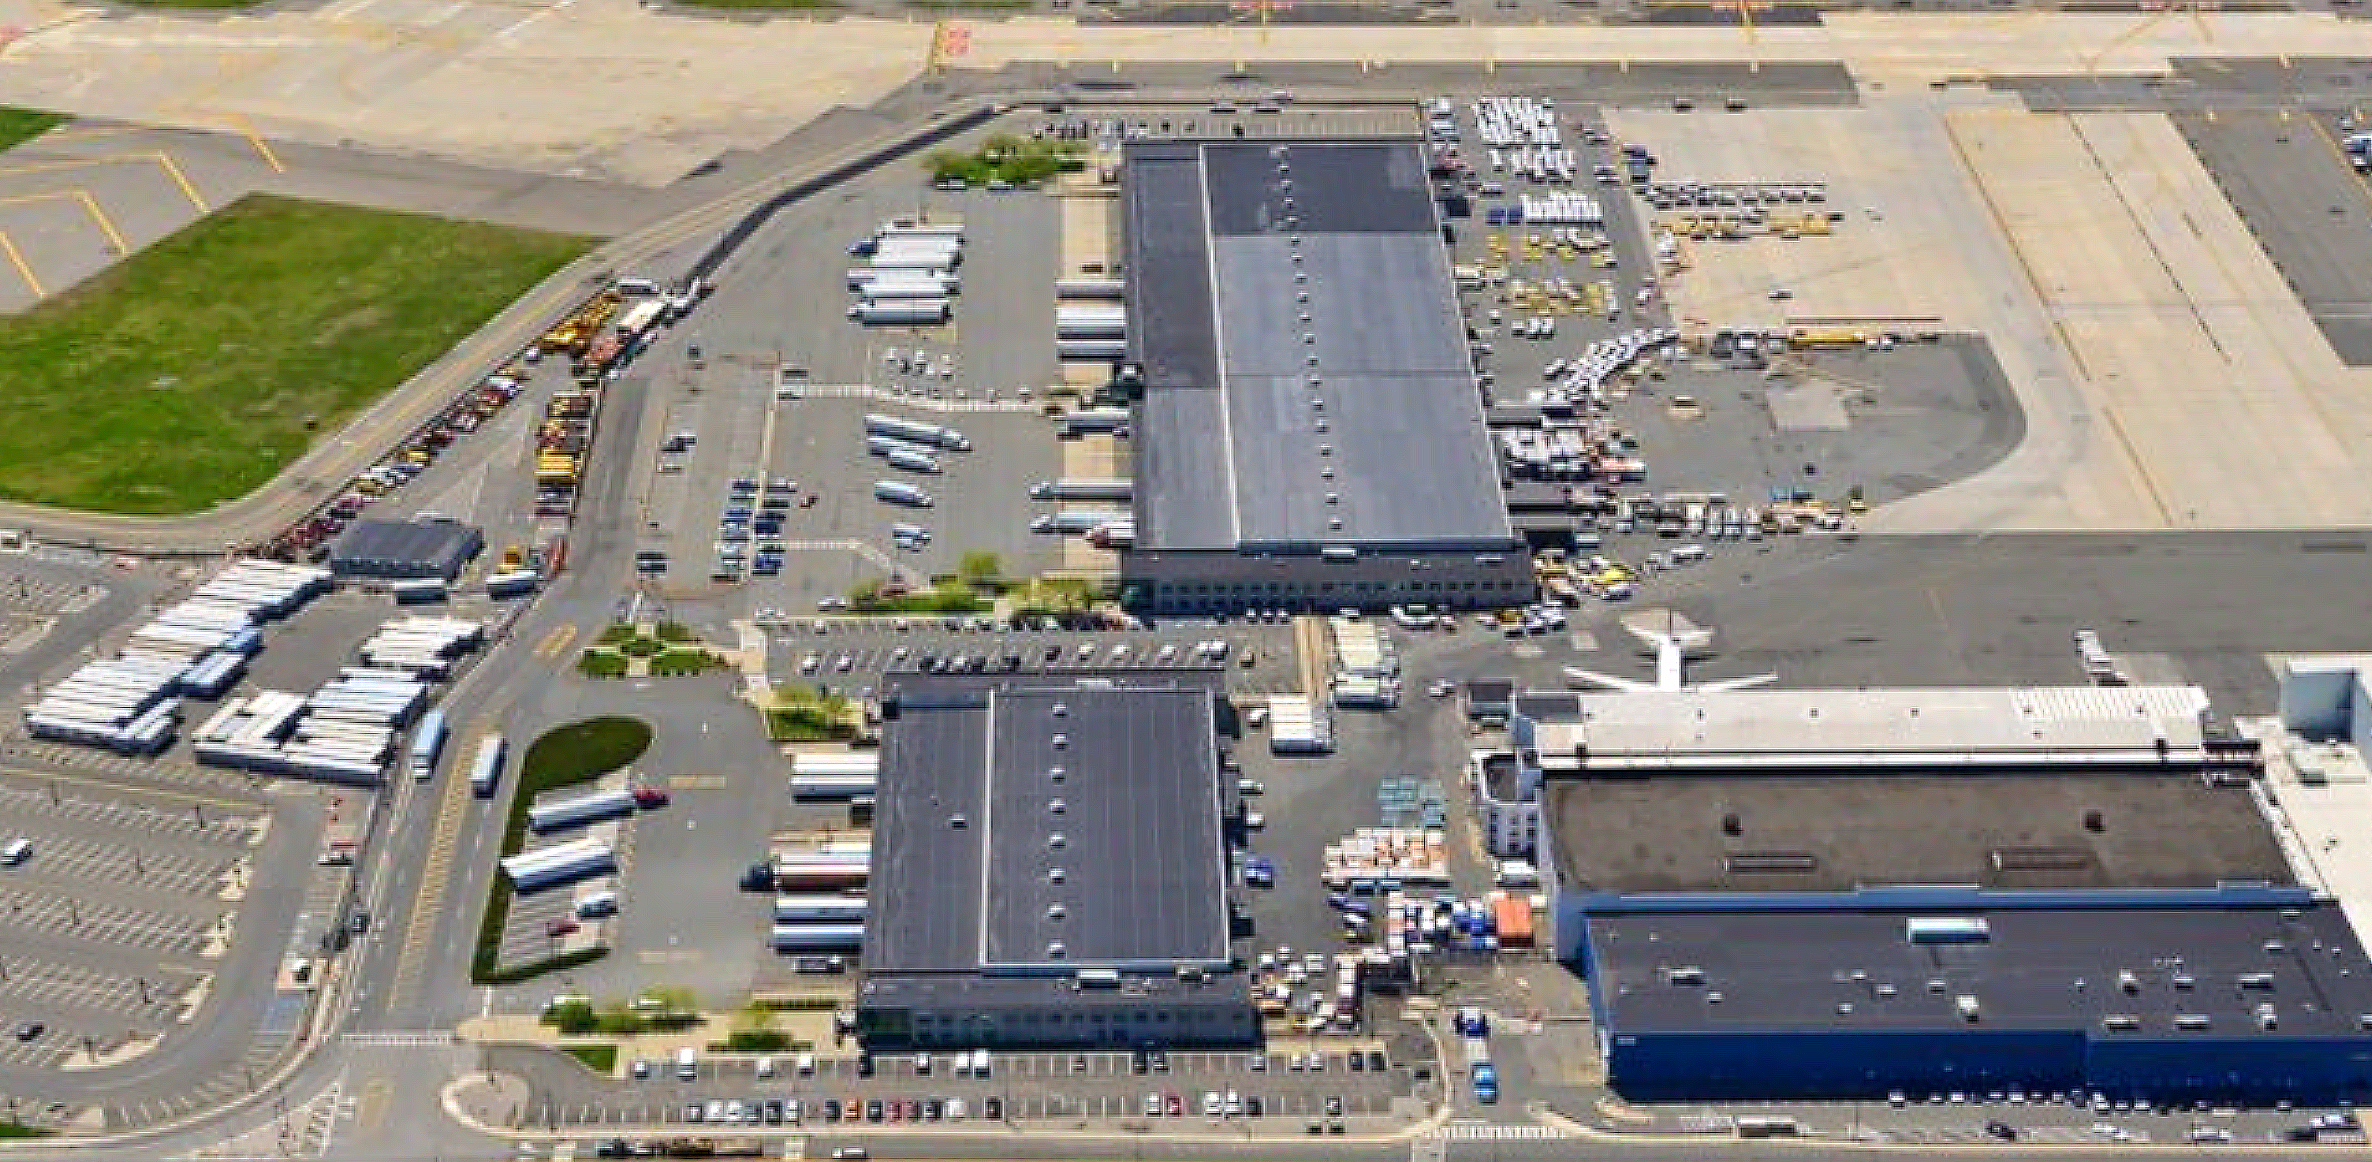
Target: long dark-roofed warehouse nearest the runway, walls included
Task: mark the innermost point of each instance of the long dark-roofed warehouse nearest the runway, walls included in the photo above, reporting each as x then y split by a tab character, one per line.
1311	433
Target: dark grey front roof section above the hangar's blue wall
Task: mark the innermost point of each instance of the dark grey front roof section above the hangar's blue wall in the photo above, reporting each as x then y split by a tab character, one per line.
2032	971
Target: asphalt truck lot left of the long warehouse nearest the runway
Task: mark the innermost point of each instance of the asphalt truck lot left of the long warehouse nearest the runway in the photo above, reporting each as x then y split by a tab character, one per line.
772	383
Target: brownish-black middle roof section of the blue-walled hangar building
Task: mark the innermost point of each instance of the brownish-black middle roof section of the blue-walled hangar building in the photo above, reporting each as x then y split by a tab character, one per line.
1998	831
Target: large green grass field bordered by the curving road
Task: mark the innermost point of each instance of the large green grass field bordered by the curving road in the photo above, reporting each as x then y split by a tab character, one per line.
203	366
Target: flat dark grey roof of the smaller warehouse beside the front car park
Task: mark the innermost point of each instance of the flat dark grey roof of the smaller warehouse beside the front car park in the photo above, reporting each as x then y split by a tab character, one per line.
1090	822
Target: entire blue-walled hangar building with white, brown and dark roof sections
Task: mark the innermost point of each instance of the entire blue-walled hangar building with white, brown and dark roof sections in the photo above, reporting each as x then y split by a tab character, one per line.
1937	890
